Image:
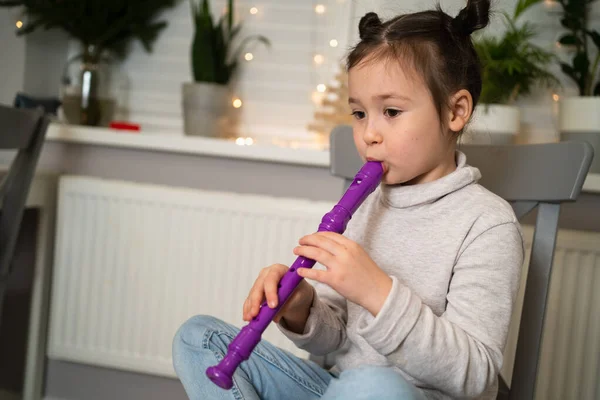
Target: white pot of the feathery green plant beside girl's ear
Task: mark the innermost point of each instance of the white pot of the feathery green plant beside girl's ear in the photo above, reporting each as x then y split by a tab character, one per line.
493	124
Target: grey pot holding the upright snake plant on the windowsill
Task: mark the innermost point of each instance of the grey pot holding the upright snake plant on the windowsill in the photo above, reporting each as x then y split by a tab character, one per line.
205	108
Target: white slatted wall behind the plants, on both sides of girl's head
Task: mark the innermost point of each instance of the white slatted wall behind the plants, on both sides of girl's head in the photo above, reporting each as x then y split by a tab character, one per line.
276	87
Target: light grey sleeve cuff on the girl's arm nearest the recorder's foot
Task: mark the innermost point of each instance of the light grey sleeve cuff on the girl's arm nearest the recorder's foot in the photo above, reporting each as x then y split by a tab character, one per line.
325	329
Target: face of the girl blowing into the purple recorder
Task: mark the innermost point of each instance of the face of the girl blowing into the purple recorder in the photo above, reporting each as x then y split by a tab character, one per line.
396	122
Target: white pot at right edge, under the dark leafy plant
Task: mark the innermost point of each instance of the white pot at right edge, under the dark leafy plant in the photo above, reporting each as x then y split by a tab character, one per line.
579	120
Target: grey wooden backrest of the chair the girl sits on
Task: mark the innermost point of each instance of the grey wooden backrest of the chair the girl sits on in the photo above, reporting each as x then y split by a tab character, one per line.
527	176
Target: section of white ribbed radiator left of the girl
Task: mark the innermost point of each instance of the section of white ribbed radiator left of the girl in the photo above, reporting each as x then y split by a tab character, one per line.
133	262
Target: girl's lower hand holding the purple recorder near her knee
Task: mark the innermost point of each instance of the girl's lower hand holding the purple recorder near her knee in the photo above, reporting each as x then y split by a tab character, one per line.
295	310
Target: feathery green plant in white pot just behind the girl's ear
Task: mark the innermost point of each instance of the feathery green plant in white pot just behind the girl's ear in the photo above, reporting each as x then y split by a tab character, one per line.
511	66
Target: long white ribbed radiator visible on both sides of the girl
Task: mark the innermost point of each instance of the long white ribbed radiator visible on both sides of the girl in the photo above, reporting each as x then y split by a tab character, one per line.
134	261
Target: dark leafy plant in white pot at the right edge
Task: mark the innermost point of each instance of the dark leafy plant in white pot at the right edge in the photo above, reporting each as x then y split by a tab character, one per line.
579	116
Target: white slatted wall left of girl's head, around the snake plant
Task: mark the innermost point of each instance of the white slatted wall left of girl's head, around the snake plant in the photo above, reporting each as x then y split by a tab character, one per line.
276	87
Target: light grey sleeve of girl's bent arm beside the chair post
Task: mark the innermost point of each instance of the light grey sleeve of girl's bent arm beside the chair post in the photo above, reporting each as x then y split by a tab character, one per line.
461	351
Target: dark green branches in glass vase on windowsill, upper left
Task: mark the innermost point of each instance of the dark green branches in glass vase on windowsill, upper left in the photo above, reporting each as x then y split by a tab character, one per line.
104	32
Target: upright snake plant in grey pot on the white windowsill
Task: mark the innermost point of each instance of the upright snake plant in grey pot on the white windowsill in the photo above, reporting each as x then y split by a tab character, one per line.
214	61
